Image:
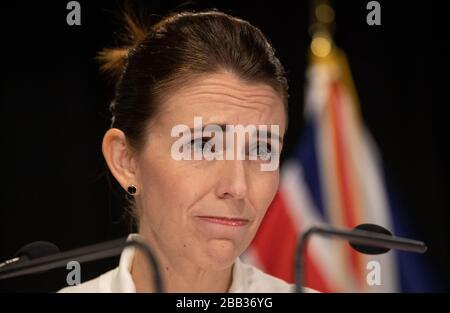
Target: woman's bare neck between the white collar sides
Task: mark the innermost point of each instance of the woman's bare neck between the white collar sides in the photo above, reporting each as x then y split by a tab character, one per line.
178	275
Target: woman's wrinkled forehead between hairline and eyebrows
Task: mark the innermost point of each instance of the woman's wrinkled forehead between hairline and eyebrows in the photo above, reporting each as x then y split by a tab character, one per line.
223	98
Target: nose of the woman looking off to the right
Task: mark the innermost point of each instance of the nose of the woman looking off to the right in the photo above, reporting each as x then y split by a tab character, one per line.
233	180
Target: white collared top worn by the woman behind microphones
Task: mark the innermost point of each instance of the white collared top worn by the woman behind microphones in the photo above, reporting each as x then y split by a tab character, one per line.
246	278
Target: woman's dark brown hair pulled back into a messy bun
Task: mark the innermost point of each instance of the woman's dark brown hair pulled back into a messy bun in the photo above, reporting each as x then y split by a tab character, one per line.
157	59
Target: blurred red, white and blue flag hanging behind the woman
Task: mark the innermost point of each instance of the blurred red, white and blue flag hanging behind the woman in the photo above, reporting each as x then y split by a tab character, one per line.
335	177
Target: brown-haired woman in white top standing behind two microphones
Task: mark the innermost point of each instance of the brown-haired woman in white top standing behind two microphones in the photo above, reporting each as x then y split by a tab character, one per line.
198	215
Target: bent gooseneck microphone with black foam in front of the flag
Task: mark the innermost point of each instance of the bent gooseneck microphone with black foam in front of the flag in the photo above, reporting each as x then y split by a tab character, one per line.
365	238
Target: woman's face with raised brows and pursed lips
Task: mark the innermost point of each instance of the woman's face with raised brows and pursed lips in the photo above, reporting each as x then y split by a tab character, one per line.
207	211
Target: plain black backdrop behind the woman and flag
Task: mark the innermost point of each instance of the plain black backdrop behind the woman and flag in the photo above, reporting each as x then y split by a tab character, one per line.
54	114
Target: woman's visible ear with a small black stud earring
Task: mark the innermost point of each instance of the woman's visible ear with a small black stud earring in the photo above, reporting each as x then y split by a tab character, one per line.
119	158
